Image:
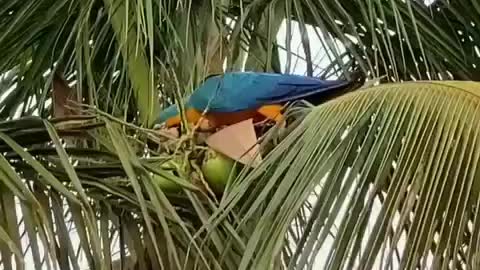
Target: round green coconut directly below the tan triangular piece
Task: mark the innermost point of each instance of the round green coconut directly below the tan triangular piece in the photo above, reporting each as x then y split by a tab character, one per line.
217	169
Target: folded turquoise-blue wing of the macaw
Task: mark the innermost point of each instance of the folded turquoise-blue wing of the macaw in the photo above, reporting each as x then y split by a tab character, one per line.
239	91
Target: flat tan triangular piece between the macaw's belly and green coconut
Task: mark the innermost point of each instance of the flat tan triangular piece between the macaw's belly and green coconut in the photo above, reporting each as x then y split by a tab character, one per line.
238	142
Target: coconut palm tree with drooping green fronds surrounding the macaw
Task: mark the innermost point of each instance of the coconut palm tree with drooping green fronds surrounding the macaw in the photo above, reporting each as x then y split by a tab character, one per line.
385	177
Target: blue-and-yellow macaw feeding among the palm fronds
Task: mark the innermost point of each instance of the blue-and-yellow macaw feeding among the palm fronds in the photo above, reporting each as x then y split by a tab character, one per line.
236	96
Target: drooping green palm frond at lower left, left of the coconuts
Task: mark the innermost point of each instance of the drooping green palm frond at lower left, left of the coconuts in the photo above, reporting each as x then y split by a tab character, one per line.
94	206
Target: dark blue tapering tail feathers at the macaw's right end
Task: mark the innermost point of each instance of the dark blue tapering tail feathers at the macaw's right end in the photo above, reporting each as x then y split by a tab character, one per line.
317	91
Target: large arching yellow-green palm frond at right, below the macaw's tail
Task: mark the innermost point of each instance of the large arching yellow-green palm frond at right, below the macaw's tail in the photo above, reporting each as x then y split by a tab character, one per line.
383	177
